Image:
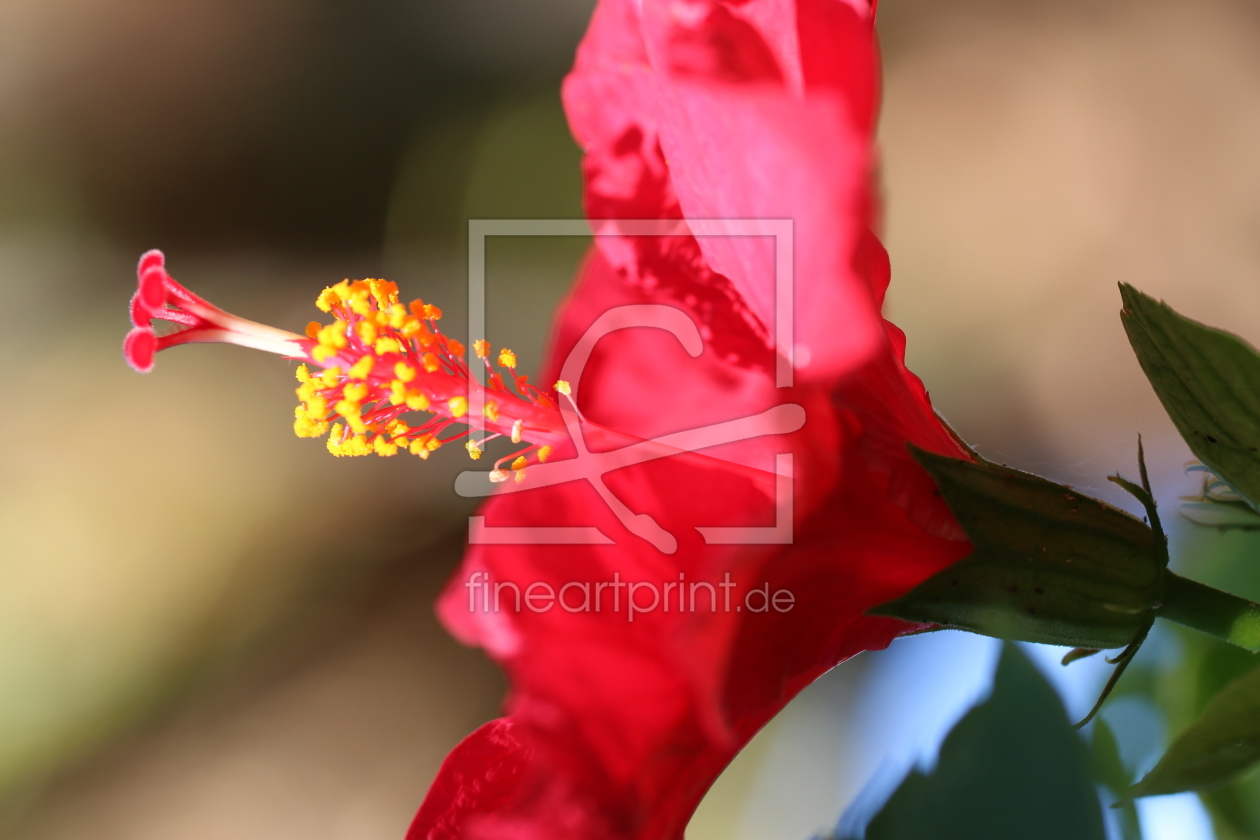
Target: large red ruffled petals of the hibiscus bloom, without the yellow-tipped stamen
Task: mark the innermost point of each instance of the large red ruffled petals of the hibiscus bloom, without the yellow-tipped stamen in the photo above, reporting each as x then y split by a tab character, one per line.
628	701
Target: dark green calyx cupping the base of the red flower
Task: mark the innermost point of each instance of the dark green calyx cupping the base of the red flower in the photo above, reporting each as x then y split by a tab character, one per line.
1049	565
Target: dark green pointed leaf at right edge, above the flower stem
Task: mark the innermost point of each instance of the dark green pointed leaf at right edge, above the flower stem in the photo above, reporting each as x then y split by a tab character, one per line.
1209	382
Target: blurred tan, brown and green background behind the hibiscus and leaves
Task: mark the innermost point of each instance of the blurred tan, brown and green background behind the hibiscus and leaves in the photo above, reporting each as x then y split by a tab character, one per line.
211	629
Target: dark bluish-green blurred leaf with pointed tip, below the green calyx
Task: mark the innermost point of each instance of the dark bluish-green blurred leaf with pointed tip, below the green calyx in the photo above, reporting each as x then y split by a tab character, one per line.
1012	768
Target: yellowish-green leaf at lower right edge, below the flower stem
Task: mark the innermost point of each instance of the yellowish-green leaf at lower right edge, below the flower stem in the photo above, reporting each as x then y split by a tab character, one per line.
1223	744
